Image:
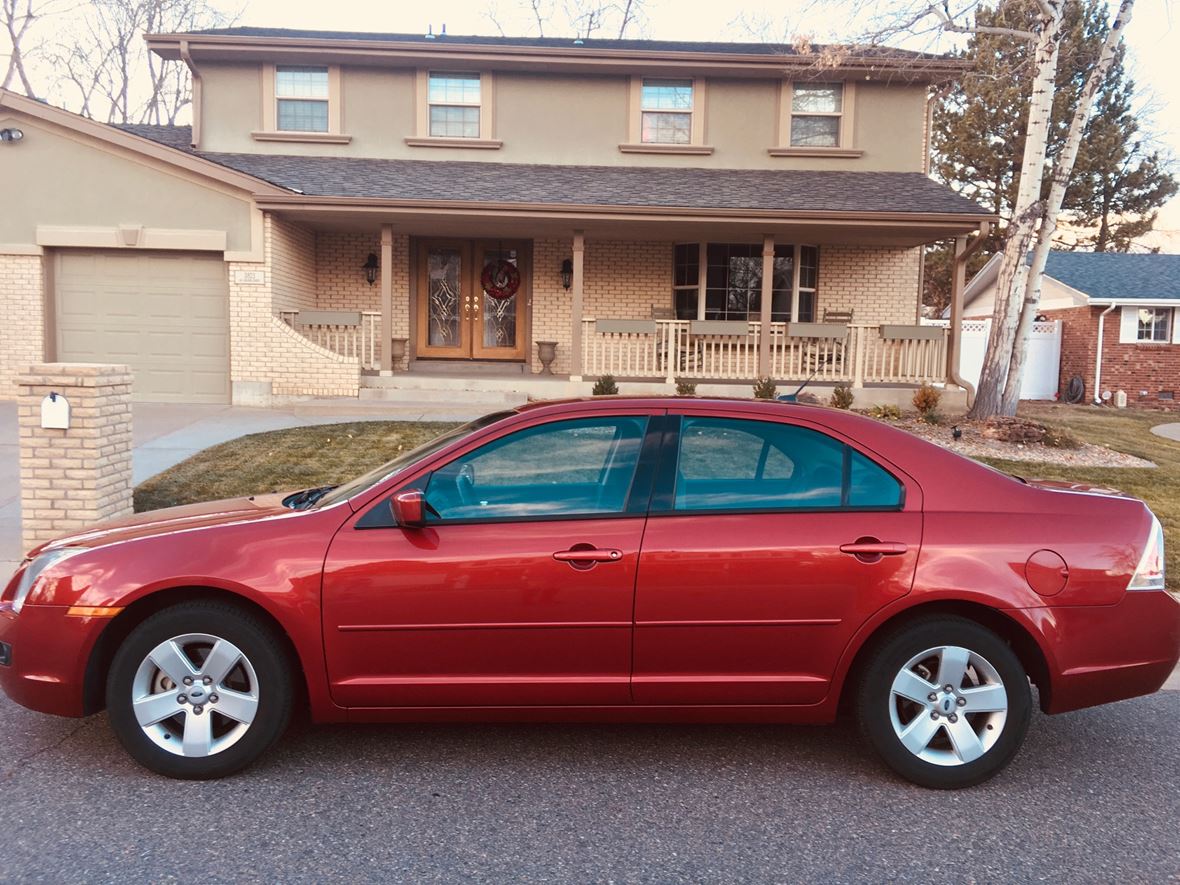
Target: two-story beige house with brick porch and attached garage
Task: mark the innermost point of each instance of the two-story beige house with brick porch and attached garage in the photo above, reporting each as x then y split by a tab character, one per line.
376	214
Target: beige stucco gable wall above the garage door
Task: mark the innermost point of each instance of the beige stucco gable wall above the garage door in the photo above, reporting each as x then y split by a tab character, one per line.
81	182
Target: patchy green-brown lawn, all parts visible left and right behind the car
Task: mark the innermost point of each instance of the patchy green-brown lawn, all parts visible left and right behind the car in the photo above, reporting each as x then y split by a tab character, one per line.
305	457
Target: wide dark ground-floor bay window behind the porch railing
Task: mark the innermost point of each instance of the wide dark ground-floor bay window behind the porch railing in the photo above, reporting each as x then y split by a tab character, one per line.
733	283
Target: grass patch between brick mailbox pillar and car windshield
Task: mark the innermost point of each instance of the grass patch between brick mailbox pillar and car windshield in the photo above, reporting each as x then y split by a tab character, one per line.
297	458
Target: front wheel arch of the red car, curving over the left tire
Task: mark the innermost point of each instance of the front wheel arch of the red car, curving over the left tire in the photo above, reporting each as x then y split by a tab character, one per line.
102	655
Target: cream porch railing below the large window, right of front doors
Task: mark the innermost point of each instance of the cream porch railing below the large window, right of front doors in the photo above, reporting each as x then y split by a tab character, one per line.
730	351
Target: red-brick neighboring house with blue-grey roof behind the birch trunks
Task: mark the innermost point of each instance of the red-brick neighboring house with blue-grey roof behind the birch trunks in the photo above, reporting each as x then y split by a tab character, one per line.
1124	306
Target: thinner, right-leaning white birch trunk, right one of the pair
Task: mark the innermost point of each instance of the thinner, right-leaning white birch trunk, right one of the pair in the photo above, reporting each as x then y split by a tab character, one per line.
1063	171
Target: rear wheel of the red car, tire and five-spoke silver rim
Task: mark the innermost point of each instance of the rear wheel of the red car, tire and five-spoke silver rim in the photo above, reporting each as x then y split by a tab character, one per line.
940	739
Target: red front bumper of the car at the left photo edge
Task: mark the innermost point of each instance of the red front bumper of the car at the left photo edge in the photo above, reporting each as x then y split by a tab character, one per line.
49	654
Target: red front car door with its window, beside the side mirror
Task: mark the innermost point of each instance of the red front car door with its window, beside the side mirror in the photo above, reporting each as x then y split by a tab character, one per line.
520	588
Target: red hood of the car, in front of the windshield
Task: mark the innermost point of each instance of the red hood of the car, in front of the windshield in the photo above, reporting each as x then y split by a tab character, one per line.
174	520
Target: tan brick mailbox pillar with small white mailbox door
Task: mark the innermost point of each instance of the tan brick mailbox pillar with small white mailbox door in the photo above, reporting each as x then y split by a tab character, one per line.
76	476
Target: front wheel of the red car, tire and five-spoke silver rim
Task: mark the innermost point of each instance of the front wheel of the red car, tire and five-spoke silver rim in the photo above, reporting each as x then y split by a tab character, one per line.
239	703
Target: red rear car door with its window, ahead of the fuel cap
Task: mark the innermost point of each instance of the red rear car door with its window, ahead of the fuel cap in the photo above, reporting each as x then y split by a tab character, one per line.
770	542
